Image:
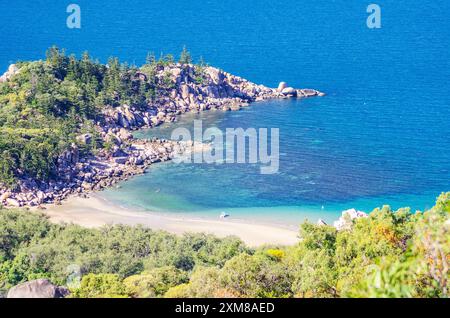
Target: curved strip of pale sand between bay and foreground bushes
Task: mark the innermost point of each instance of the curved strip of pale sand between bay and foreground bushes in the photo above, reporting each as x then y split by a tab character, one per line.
96	212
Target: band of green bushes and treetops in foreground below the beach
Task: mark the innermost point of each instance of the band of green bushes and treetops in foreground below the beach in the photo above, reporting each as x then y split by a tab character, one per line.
388	254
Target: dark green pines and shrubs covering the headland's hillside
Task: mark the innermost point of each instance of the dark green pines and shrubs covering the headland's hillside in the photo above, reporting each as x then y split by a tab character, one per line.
48	103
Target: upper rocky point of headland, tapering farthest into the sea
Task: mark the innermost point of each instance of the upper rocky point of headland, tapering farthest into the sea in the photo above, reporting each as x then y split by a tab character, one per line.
216	90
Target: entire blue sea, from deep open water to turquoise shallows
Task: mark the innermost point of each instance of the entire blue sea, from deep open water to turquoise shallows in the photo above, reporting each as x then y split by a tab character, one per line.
380	136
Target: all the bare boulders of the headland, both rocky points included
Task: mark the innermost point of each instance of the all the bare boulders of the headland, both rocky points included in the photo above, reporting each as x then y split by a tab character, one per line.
125	157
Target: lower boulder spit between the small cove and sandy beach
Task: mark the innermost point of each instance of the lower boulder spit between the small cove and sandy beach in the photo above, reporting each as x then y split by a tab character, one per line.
93	173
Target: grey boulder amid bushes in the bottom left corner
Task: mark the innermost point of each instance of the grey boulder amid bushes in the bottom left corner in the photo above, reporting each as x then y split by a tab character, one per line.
40	288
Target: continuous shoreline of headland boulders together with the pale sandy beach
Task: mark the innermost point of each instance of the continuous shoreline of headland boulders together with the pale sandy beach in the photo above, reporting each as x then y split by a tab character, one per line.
190	88
